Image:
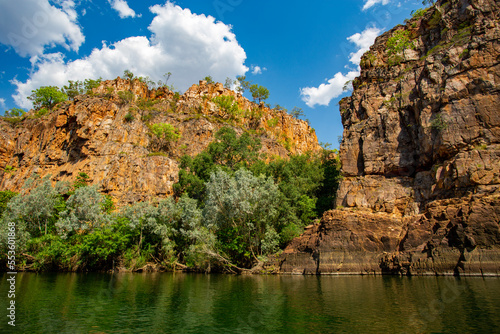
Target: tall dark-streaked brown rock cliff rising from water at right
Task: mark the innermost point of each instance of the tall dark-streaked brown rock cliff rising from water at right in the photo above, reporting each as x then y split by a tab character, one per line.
420	154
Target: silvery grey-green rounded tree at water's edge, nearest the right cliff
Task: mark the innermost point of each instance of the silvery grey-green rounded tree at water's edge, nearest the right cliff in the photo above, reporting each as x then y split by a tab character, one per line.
240	209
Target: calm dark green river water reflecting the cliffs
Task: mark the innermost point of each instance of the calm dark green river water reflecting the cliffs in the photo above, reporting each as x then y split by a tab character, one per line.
191	303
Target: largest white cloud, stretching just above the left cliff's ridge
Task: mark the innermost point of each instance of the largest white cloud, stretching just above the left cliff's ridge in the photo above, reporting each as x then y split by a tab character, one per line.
188	45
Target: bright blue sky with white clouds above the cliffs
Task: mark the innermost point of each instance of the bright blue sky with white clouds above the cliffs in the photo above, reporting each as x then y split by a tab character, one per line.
303	52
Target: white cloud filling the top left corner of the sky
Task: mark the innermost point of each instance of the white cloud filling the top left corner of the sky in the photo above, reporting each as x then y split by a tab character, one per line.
31	26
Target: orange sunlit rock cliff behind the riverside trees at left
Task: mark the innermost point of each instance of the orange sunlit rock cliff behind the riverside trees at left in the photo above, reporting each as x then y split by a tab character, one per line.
106	135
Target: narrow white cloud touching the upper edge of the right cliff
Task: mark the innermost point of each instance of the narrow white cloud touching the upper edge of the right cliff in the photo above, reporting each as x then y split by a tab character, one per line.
334	87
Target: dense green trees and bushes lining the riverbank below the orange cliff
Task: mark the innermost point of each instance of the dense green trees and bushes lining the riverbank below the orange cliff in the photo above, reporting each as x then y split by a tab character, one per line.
232	208
